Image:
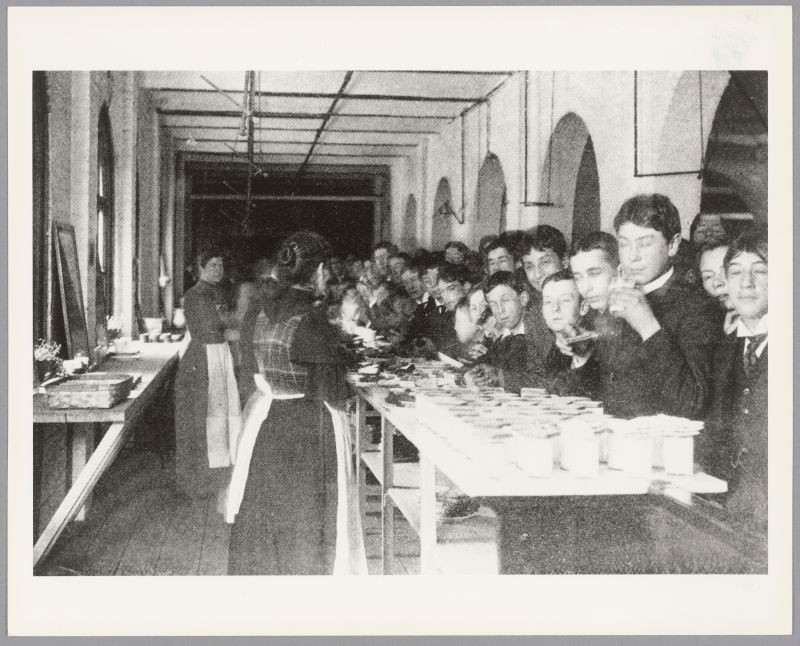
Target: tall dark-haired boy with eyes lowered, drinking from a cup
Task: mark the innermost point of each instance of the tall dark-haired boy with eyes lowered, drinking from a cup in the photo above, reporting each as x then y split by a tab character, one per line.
669	359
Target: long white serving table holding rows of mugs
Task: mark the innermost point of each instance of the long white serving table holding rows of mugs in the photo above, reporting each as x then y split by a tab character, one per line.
518	511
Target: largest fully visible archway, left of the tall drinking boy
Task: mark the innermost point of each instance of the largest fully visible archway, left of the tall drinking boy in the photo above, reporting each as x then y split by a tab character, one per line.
570	180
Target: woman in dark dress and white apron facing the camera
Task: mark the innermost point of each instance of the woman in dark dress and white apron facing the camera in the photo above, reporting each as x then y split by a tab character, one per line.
207	409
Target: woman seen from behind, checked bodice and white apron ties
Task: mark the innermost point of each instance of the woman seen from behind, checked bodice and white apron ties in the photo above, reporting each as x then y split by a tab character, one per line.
290	494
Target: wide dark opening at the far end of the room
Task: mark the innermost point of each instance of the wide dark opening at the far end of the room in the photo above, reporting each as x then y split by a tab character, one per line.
340	203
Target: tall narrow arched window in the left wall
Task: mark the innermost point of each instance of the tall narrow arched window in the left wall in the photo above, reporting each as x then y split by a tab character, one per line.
105	214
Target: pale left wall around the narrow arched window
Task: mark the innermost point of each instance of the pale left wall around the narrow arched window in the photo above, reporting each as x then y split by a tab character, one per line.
75	100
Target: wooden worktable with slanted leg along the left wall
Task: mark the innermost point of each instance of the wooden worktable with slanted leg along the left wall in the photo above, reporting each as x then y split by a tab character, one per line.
154	365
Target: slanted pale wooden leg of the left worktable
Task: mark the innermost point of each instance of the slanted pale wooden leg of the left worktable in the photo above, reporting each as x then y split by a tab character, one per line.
83	485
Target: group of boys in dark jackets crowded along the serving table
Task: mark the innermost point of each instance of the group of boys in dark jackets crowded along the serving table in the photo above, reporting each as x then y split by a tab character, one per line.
614	319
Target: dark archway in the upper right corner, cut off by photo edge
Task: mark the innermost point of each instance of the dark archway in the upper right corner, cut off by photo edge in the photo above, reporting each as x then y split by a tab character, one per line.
735	173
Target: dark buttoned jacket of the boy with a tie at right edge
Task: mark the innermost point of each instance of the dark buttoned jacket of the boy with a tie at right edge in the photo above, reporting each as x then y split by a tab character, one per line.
733	445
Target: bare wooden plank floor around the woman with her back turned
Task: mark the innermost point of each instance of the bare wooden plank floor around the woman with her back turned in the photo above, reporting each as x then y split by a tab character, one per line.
139	525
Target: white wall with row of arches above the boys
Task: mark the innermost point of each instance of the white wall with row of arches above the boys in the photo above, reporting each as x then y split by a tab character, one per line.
669	140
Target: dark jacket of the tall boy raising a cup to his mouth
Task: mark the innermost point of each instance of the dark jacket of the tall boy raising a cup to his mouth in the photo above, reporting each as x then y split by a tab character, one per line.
670	372
